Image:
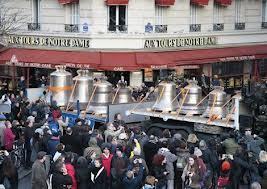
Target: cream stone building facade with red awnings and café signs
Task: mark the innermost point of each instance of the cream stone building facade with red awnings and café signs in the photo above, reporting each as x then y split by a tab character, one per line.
142	37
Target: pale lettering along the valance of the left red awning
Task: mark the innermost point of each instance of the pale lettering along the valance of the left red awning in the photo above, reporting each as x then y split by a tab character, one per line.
49	66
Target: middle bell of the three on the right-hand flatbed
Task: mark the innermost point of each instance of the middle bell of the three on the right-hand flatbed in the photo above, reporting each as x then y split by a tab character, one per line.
190	97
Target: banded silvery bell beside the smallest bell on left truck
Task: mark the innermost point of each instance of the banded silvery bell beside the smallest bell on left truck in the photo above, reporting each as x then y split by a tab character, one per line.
102	97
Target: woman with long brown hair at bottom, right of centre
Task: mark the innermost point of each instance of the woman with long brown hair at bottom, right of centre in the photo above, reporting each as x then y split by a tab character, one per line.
191	174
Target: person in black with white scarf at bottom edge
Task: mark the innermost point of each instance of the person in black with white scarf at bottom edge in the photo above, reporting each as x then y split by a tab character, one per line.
98	175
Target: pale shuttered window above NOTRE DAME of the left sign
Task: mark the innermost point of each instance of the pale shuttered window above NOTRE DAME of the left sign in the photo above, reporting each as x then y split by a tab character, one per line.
72	17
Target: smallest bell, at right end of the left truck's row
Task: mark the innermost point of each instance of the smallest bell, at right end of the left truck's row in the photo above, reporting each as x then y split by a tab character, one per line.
123	95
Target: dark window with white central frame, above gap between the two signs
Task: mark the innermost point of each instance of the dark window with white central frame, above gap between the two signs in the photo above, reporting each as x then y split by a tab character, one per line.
117	18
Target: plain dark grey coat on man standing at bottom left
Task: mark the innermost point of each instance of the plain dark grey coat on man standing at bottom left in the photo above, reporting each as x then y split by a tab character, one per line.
38	175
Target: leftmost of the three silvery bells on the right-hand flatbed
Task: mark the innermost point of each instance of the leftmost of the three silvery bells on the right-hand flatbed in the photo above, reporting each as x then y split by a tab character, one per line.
166	100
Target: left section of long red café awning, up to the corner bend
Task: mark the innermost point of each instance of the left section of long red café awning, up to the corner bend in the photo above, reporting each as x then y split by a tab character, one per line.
50	58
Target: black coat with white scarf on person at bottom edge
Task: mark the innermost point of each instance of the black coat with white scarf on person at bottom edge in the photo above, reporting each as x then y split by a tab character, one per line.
100	178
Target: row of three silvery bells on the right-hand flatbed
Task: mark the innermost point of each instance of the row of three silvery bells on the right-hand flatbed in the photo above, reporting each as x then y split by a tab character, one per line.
189	100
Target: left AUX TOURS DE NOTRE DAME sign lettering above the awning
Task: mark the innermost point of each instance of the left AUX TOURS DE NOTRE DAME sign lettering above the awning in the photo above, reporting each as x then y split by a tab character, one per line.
48	41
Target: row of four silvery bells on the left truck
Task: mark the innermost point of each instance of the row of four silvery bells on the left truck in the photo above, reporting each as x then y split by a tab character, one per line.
66	89
